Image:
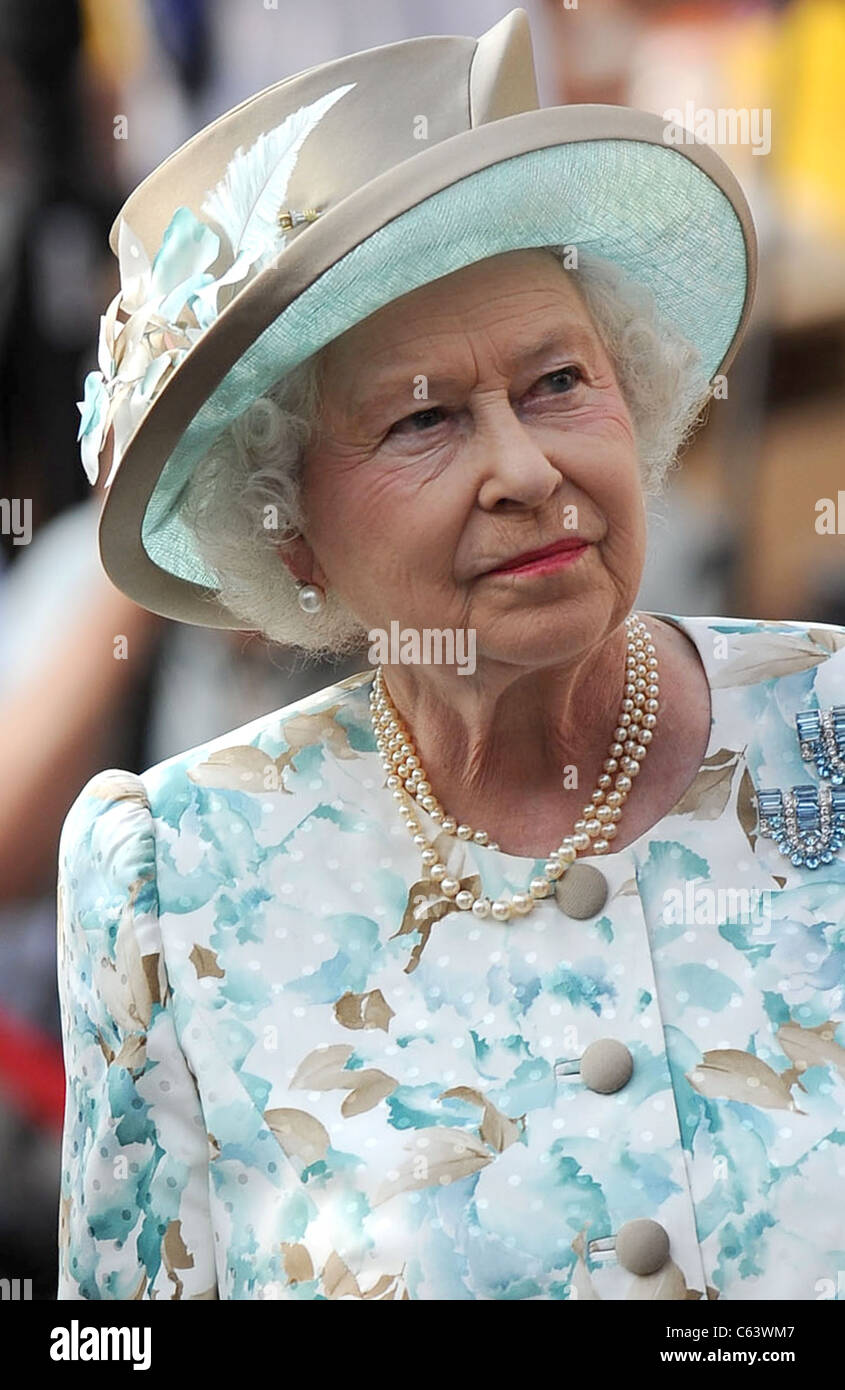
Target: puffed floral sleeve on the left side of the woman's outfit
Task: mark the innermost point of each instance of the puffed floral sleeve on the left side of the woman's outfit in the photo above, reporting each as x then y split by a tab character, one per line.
134	1217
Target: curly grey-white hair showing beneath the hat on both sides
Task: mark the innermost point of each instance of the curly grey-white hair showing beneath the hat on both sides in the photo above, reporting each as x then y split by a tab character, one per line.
244	498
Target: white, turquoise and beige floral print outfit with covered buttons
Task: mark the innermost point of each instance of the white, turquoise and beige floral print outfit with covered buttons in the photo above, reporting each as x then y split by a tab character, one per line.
295	1071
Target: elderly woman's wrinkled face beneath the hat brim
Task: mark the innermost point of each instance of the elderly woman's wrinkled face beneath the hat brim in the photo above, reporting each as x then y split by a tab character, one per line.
465	425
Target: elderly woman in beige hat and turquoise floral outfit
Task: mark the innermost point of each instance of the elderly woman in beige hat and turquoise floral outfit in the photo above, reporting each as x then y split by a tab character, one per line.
511	968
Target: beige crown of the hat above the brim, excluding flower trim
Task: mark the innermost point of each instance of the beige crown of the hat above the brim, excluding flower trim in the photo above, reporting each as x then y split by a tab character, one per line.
394	102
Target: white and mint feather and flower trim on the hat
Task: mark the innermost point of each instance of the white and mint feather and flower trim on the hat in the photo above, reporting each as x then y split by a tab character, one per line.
165	306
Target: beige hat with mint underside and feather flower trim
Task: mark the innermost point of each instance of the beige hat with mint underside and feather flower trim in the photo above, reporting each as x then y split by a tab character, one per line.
326	197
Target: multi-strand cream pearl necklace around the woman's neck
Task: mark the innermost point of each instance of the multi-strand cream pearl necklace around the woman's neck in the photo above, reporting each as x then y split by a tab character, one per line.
598	825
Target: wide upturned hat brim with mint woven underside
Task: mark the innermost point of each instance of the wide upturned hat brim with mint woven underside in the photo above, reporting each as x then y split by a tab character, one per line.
608	180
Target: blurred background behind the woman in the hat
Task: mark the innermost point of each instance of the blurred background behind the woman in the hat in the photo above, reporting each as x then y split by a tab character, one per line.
740	532
